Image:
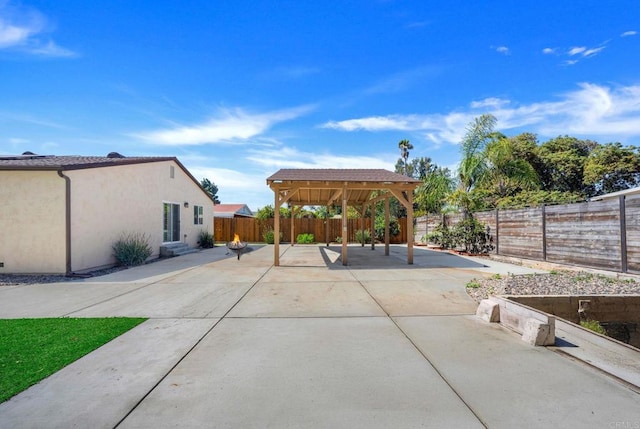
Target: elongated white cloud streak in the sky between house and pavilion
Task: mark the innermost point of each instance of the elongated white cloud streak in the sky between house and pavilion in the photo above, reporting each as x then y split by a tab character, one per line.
229	126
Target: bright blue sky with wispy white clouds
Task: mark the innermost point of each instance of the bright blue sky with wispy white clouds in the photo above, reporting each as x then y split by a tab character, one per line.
239	89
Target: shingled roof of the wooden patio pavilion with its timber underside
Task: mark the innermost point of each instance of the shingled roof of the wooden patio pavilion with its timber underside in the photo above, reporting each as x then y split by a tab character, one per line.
325	186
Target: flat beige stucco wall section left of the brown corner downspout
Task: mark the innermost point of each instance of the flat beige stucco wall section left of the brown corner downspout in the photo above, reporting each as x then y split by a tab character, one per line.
32	221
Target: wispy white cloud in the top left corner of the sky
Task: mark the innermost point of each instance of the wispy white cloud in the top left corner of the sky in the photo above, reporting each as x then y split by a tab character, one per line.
23	29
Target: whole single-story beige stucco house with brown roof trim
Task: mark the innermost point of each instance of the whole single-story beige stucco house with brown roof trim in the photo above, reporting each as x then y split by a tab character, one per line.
62	214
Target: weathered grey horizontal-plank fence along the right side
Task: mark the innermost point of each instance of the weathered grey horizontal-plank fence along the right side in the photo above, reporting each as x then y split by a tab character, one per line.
597	234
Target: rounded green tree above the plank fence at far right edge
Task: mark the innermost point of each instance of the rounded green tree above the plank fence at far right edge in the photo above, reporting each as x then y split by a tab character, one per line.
612	167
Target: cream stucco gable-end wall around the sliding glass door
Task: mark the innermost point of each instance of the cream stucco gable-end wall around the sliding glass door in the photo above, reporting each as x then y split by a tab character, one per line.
109	201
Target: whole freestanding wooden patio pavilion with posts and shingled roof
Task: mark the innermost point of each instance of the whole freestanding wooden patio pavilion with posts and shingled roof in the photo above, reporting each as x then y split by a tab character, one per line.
358	188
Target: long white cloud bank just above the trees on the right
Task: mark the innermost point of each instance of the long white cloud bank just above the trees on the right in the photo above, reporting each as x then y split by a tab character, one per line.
590	110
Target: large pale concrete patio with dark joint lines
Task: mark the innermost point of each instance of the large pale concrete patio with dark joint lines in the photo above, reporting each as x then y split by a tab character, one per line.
243	344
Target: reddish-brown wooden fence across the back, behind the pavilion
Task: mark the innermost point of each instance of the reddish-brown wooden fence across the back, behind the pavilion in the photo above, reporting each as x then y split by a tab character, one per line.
252	229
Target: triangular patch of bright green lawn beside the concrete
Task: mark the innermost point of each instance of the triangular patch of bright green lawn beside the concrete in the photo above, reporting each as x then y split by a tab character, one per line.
33	349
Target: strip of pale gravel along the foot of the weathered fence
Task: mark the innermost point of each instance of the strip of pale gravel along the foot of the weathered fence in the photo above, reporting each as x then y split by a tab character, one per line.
554	283
